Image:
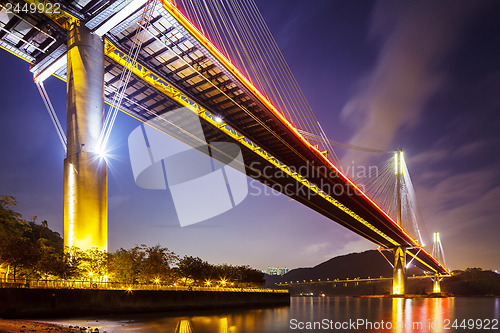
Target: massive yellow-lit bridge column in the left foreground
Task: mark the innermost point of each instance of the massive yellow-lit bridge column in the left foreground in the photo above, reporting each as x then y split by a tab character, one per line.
85	172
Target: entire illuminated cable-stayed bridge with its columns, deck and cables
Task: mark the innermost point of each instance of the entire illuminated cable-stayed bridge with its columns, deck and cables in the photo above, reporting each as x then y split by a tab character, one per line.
218	60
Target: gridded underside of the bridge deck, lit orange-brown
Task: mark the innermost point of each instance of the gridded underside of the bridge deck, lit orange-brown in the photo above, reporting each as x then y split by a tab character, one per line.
174	54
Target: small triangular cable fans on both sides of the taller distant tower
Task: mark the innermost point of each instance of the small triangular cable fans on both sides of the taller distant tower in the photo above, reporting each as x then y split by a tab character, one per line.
379	182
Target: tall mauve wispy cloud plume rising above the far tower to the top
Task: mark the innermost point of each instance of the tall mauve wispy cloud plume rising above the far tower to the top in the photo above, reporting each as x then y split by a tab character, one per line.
415	38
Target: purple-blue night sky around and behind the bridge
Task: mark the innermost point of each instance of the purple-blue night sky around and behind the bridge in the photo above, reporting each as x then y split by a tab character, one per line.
423	75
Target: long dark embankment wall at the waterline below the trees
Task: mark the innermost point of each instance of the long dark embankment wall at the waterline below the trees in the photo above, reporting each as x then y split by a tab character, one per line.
24	303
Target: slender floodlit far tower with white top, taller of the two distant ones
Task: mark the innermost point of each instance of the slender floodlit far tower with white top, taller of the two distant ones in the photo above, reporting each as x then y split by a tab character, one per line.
399	273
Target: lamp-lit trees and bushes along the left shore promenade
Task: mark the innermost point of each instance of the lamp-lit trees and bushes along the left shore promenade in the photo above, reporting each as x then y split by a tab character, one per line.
29	250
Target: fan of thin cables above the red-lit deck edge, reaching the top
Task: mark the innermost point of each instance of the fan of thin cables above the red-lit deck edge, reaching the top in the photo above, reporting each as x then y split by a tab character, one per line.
239	30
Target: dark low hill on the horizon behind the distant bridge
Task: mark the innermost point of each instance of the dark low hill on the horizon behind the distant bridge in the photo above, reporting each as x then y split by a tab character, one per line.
365	264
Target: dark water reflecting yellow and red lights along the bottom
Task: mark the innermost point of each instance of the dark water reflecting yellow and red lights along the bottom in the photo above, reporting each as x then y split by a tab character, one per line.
331	314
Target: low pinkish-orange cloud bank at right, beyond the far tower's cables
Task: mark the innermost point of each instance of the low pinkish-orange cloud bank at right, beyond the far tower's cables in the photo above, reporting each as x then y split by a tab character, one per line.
464	208
